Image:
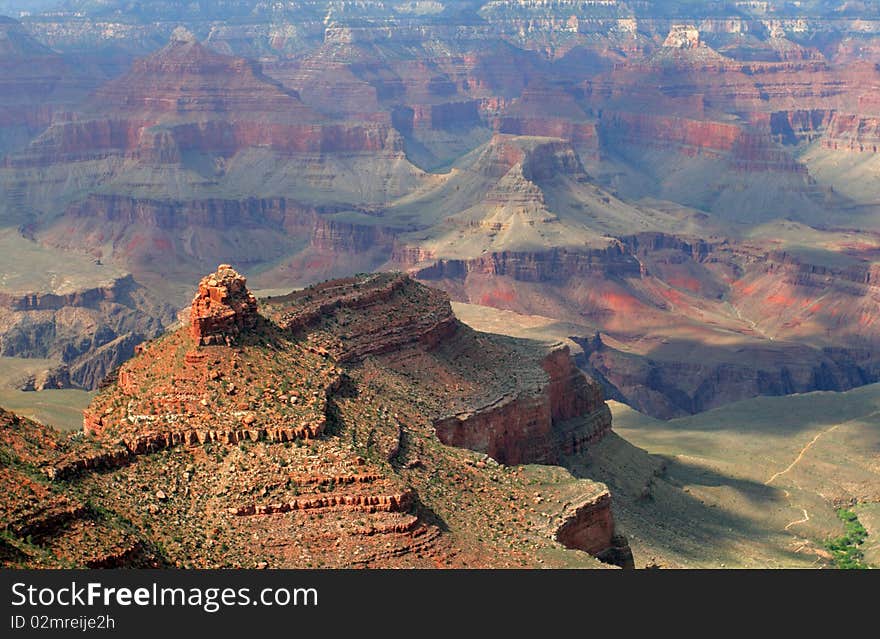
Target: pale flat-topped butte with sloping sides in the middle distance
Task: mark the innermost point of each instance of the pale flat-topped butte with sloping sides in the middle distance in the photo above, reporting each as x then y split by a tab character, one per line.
516	197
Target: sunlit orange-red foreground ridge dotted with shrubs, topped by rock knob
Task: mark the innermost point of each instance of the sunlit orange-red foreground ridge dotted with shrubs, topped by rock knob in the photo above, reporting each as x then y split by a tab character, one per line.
323	405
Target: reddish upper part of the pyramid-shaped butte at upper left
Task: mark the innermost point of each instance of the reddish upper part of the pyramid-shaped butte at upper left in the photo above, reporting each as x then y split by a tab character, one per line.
186	97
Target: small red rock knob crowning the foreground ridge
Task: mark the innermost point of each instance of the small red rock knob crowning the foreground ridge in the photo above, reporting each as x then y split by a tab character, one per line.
223	308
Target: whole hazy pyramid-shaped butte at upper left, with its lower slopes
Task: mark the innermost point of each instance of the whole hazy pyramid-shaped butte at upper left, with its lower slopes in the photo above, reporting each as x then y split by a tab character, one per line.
195	154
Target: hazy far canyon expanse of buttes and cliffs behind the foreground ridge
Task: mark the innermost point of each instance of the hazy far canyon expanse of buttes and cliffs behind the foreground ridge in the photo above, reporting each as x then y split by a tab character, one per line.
505	165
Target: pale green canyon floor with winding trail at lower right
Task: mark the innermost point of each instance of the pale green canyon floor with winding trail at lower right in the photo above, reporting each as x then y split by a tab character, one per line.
770	471
